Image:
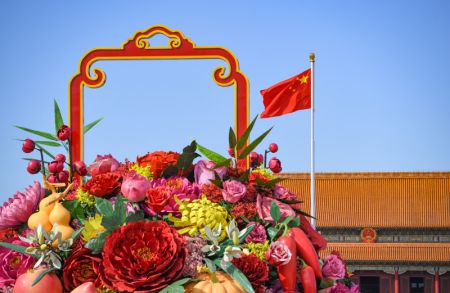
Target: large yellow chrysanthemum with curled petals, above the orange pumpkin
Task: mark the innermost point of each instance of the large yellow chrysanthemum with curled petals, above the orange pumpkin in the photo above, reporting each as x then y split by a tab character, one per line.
197	214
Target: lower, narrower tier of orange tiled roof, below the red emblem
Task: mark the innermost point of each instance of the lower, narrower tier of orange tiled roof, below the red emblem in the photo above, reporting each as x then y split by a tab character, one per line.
391	252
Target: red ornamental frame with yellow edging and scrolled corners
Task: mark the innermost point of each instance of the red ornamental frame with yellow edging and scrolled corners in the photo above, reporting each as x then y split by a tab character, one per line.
138	48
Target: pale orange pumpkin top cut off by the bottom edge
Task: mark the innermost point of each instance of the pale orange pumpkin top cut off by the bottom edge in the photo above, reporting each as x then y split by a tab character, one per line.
215	283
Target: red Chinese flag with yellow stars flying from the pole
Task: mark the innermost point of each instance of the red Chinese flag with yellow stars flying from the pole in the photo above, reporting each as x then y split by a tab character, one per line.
288	96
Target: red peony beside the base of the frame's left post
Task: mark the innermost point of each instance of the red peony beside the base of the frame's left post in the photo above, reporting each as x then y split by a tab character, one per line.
102	184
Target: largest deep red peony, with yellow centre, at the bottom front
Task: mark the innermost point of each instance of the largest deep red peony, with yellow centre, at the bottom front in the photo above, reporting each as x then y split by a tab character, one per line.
143	257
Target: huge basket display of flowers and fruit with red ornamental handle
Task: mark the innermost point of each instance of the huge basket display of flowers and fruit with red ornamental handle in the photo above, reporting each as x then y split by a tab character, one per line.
187	221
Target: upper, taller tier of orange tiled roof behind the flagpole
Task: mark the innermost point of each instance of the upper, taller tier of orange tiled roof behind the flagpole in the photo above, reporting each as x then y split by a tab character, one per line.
378	200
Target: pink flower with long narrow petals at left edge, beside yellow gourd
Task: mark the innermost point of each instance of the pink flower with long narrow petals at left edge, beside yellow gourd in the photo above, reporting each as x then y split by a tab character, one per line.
17	210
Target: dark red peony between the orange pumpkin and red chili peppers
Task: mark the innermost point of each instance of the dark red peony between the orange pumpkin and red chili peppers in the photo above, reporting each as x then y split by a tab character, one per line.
256	271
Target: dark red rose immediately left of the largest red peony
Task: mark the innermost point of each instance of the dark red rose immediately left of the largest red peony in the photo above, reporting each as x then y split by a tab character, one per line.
80	267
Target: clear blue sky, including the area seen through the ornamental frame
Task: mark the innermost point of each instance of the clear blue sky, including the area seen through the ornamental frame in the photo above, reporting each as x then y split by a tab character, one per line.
383	96
